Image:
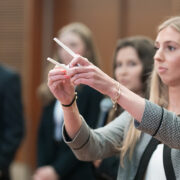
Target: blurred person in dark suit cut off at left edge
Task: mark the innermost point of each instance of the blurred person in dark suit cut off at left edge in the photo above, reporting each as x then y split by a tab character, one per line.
11	118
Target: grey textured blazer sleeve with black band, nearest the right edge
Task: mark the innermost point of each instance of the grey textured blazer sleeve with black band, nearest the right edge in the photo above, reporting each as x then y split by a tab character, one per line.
160	123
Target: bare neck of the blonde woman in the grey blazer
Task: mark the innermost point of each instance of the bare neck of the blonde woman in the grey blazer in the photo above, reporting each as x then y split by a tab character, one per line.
174	99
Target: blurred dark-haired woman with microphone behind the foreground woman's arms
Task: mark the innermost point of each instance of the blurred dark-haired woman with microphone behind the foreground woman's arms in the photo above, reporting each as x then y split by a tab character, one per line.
132	65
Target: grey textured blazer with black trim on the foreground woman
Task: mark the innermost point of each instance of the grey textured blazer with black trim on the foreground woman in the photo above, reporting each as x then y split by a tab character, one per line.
90	145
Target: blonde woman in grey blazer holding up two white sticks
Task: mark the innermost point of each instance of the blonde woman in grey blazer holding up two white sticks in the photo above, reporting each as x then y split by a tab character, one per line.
156	153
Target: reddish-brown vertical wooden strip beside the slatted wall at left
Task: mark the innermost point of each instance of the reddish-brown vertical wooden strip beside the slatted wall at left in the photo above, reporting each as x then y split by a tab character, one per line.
32	76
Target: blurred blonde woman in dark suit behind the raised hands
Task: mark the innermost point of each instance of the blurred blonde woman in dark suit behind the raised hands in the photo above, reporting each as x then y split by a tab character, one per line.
54	158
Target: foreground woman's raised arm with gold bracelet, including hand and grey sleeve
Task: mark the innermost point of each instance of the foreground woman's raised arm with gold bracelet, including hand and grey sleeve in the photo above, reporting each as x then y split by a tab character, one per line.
150	118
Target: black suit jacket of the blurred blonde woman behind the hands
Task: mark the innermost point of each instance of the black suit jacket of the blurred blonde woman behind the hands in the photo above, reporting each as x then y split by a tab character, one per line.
58	154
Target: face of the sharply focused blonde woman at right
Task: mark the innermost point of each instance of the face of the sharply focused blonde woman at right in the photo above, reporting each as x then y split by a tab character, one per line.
167	57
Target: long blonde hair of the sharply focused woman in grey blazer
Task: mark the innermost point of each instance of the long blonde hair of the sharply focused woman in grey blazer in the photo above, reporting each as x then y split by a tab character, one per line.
158	95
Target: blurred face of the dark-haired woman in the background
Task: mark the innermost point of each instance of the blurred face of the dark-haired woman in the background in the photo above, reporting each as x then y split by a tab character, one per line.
129	69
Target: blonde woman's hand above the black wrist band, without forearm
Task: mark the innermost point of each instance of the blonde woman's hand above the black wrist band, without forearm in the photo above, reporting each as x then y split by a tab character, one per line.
60	85
